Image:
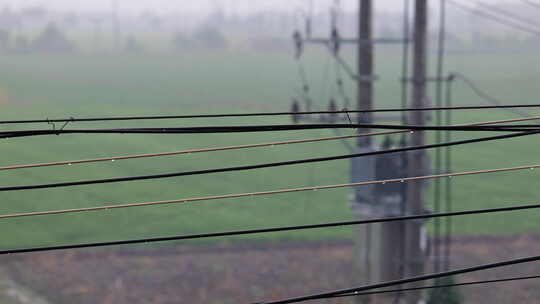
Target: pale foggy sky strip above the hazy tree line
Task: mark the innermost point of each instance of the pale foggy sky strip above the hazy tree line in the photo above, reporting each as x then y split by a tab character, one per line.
199	6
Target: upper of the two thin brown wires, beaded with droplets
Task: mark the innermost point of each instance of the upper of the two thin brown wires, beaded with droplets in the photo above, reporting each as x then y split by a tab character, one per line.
194	151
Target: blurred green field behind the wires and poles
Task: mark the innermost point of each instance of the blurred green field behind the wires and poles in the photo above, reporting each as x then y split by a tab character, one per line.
37	87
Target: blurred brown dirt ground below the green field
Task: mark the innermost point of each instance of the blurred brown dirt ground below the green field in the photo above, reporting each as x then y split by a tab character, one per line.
246	273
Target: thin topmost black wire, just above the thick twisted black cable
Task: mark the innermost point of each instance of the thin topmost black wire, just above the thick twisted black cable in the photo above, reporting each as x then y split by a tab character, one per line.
166	117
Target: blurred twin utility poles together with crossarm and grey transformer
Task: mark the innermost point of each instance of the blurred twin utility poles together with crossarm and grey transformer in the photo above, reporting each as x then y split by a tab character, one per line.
379	247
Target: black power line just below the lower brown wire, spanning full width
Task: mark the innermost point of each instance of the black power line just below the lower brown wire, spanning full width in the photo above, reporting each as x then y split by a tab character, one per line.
258	231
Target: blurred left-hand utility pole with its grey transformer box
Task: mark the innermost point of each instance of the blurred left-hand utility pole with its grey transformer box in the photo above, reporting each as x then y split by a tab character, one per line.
377	245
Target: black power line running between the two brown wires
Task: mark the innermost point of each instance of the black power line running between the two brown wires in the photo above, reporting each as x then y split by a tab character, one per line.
259	166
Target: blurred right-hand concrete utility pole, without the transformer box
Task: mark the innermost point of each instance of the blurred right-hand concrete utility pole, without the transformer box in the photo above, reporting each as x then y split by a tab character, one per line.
415	236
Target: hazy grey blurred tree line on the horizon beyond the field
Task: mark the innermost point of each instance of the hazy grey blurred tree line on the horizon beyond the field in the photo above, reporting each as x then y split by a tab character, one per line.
36	29
